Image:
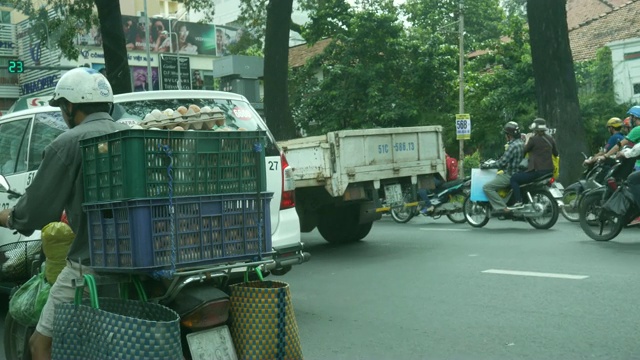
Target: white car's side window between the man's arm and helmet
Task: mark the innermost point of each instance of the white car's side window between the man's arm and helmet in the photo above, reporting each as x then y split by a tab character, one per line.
46	127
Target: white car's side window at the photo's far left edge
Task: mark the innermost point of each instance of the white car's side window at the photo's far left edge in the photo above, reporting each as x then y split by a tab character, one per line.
13	138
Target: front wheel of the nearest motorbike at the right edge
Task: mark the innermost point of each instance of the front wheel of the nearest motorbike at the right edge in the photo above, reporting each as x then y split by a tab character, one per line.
597	224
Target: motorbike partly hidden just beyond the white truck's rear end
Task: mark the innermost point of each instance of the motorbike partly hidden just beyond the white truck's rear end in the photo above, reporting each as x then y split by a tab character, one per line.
447	199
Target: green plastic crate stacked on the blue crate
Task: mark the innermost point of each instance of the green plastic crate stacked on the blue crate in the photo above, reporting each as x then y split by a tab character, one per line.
134	163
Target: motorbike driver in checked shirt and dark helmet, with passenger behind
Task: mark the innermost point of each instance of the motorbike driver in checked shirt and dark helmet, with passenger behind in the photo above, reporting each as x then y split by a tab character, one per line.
509	162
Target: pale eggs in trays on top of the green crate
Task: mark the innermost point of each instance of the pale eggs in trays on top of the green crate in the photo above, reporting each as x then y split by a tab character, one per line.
187	118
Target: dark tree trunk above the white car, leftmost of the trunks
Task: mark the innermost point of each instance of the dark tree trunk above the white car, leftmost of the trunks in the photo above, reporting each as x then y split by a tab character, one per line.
114	46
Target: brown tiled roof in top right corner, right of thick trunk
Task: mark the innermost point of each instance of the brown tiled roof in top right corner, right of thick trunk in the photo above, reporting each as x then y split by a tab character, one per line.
617	24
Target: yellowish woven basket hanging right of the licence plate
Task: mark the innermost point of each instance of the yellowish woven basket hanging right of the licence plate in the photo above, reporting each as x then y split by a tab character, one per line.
263	325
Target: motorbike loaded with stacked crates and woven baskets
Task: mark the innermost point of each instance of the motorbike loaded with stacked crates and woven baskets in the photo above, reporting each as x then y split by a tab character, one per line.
199	296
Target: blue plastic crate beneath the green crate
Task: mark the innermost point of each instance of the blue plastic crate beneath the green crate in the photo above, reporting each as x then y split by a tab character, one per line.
135	235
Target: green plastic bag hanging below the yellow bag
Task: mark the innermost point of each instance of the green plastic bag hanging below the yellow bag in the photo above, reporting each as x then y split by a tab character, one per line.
26	304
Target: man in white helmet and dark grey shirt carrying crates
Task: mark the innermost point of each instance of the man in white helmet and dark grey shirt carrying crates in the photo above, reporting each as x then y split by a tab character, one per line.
85	99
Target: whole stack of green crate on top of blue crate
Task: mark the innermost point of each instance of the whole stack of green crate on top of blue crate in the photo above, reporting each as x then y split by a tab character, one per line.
166	199
